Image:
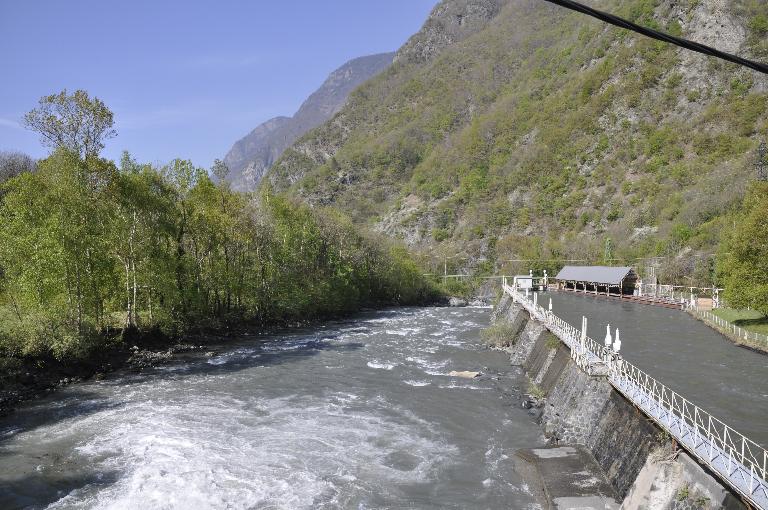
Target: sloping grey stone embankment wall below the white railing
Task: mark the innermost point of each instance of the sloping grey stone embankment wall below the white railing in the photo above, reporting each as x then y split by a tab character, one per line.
639	461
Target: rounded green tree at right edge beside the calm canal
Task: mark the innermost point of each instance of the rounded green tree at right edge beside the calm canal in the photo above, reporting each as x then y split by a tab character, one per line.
743	261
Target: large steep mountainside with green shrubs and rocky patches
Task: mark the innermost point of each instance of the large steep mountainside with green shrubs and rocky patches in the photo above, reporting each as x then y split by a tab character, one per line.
520	130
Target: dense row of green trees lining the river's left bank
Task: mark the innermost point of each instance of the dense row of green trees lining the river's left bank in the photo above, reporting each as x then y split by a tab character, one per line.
87	248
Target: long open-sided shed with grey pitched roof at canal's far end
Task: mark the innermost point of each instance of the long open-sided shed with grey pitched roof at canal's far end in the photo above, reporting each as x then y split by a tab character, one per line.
611	281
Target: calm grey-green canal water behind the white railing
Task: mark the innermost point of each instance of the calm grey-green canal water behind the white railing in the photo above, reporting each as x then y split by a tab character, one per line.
729	381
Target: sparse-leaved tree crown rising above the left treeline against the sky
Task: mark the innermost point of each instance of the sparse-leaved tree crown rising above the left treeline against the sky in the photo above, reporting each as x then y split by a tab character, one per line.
75	122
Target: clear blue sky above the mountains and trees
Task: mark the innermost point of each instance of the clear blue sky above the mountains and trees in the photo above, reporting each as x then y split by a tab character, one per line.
185	79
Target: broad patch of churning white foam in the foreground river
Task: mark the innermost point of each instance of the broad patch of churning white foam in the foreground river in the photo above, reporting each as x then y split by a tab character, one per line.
279	453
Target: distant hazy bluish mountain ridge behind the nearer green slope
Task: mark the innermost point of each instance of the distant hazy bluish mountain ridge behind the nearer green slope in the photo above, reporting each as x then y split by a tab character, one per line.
250	157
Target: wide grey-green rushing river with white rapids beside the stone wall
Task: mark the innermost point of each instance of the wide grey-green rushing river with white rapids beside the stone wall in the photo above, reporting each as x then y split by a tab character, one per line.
354	414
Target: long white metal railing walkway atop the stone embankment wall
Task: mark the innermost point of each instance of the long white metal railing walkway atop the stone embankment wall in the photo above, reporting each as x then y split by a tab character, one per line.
736	459
